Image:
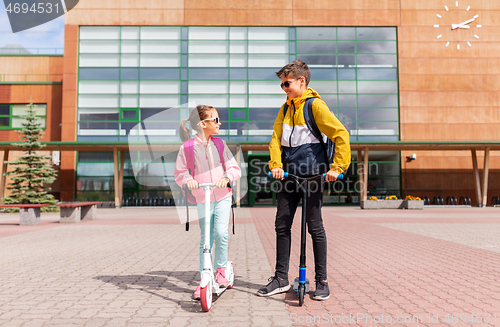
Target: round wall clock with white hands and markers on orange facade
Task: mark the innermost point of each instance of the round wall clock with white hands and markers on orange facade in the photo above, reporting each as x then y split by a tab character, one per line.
457	19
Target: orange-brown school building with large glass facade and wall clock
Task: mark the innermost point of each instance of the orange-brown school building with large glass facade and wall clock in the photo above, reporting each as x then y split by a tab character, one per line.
416	83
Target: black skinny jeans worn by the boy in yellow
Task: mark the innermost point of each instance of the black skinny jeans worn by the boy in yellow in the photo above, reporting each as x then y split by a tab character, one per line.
288	198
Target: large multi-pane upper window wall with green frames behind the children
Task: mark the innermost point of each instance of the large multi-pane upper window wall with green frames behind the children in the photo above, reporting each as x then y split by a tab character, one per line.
128	74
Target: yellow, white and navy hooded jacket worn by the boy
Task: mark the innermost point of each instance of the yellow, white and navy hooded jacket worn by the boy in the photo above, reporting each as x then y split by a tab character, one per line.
295	149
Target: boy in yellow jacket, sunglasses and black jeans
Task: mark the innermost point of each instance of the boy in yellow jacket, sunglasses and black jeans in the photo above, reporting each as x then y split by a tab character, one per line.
296	150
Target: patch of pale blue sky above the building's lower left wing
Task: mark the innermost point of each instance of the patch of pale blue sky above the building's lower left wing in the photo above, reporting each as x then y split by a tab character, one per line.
48	35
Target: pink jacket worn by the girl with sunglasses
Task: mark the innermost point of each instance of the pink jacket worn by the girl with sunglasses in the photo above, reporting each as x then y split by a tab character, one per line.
207	169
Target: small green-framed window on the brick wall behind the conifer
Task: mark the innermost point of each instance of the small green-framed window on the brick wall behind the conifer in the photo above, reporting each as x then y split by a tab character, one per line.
11	115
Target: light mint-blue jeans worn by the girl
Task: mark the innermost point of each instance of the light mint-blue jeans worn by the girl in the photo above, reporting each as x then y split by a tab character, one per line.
219	223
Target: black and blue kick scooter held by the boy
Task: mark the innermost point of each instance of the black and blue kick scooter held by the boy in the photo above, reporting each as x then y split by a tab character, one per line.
301	284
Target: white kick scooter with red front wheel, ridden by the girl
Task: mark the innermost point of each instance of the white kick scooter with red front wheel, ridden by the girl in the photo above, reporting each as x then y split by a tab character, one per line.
208	284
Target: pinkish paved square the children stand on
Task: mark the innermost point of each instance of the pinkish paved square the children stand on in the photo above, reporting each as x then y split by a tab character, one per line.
138	267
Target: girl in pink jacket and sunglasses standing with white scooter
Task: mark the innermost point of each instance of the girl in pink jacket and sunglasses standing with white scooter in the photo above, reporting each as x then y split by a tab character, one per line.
208	168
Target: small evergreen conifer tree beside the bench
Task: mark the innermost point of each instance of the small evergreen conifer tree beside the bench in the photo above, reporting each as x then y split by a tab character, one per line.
33	170
